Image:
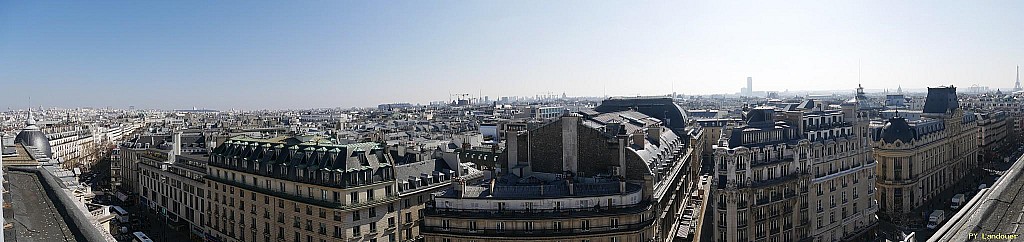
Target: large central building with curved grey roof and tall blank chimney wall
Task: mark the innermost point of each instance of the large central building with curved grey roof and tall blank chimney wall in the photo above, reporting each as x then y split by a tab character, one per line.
612	175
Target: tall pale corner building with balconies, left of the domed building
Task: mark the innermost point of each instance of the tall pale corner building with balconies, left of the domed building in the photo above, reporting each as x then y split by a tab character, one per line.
799	174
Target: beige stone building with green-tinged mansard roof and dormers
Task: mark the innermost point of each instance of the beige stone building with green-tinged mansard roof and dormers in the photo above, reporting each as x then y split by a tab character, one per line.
301	189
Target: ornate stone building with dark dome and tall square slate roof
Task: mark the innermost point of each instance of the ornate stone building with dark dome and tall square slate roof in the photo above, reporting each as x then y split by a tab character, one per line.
919	159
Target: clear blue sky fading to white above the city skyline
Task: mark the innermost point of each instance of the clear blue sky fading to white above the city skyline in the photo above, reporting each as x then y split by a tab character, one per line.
263	55
